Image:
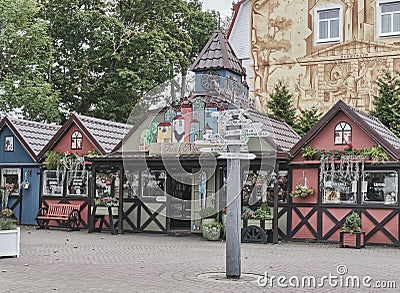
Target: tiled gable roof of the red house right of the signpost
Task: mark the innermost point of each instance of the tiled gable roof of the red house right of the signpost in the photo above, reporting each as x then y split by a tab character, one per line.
372	126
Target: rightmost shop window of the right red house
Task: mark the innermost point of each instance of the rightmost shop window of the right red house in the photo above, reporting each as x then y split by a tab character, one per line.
379	186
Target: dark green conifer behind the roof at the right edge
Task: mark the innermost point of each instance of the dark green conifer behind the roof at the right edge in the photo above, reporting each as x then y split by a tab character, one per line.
387	102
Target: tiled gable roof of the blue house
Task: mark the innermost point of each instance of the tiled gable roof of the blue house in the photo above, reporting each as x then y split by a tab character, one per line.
33	135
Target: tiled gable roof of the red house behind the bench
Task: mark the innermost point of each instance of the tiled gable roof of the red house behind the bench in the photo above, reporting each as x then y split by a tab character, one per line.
103	134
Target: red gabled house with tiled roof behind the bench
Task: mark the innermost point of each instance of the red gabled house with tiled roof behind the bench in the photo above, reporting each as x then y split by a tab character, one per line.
67	181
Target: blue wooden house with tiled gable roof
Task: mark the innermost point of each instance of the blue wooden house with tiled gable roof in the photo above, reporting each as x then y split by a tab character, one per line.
22	141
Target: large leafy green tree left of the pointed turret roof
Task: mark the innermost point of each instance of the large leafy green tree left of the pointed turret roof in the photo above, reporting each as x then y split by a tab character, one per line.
108	54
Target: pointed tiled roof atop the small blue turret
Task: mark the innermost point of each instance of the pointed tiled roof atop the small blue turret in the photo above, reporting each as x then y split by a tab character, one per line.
218	54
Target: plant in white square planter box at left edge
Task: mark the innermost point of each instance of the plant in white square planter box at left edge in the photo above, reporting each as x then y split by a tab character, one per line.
9	234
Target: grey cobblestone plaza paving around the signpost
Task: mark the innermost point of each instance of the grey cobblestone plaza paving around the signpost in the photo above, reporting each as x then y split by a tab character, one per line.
61	261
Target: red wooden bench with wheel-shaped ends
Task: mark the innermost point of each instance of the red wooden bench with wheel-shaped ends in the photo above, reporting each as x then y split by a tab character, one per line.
68	214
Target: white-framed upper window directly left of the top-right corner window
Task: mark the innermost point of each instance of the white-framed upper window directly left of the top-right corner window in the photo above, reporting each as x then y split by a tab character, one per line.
328	24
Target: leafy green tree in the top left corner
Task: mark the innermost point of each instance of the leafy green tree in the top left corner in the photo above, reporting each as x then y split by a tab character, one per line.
25	58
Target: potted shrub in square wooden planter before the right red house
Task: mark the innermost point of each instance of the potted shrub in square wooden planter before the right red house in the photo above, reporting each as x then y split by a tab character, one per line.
351	234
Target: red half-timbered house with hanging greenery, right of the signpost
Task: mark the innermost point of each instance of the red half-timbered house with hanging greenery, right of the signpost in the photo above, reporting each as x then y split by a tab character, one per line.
358	172
